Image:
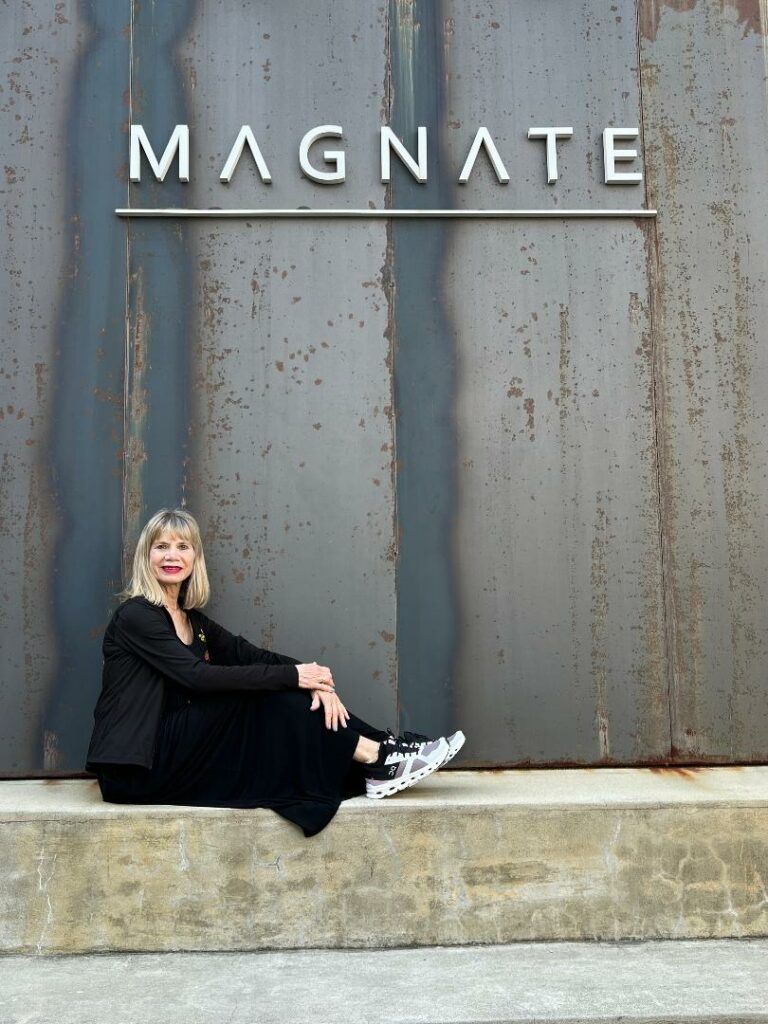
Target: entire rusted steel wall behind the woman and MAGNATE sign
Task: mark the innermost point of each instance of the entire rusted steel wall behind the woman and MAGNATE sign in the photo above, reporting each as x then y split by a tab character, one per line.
504	476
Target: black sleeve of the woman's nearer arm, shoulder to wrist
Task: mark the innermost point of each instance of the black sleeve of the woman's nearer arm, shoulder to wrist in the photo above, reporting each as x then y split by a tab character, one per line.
144	631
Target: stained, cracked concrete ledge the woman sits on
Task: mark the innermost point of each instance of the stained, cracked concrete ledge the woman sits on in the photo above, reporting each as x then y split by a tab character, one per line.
467	858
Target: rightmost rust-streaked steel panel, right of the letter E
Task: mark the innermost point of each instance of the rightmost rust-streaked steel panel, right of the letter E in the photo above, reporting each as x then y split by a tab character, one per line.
706	126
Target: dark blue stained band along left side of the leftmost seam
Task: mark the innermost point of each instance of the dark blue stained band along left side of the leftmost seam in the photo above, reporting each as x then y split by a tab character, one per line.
87	419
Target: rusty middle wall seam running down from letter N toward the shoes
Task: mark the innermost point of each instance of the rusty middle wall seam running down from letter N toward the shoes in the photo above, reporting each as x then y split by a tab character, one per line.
390	287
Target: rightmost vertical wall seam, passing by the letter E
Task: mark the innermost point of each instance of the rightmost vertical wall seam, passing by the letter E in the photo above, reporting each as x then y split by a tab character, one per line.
658	414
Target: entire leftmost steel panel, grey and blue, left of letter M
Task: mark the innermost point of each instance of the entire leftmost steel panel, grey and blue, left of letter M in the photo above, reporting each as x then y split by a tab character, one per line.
62	105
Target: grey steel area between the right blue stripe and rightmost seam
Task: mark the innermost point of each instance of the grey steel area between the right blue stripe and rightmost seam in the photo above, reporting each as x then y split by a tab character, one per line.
563	651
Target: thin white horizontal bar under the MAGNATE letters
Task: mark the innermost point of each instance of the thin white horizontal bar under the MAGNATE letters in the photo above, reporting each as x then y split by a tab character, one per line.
413	215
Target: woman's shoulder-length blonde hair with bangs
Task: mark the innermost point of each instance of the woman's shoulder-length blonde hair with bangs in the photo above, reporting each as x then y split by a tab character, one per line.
196	590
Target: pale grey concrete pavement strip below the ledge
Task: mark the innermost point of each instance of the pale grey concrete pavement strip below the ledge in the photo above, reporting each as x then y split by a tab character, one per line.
635	984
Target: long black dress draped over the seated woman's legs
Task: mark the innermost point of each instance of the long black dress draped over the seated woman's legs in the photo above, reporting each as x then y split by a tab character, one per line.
236	749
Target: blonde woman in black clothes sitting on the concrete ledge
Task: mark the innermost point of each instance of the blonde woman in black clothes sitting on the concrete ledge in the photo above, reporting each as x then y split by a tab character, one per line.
190	714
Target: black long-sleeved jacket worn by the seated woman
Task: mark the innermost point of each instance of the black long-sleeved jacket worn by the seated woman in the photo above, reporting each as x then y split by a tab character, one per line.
142	650
